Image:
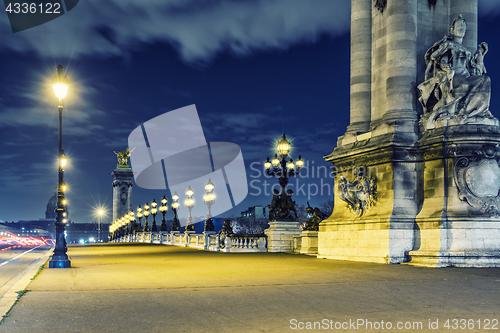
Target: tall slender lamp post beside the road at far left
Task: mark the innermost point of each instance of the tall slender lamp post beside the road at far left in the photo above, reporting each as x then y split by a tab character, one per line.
60	258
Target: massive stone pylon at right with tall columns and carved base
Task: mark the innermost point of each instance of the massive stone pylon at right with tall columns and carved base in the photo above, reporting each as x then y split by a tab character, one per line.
407	191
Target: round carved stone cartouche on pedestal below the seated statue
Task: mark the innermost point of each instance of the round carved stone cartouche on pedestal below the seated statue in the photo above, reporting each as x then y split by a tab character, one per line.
478	180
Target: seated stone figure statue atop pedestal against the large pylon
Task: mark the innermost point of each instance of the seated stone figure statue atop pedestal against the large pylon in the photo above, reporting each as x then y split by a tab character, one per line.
456	89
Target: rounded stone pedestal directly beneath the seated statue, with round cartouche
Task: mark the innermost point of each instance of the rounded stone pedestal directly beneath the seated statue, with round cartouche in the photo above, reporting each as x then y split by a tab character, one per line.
459	223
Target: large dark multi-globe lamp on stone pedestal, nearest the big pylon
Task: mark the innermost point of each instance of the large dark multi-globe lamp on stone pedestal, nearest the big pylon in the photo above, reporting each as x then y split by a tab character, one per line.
282	204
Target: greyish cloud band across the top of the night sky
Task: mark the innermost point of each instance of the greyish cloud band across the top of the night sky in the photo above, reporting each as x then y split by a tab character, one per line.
198	29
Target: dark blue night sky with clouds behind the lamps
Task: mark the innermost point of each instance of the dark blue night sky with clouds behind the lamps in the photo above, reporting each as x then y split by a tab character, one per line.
254	69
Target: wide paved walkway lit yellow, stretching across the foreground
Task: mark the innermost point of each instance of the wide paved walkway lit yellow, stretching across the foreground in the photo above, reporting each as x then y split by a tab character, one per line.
158	288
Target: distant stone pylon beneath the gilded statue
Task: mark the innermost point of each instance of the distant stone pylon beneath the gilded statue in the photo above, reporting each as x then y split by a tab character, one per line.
123	179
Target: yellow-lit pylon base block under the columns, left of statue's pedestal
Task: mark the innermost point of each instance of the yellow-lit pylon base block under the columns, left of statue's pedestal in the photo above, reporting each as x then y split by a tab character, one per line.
376	200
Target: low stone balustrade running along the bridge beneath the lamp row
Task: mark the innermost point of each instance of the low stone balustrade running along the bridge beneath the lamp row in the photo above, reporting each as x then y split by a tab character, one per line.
208	240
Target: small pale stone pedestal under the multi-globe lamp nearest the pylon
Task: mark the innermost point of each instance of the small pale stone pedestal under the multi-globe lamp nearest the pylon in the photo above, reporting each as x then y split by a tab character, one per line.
280	235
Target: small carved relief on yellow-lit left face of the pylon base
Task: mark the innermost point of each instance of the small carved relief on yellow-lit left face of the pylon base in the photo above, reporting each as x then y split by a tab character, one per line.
358	194
